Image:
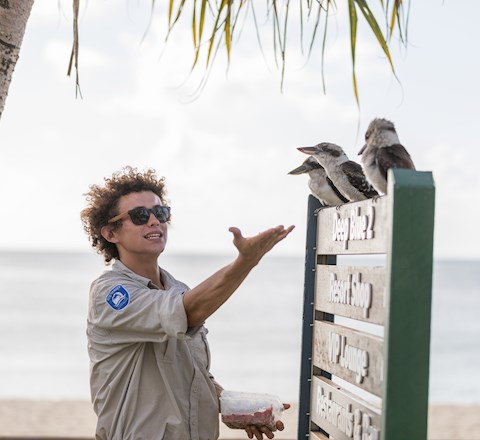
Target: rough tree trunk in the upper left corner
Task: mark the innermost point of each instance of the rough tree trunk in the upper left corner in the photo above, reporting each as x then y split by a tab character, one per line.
13	20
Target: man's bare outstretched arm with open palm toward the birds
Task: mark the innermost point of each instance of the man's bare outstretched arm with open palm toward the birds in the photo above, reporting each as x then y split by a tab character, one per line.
203	300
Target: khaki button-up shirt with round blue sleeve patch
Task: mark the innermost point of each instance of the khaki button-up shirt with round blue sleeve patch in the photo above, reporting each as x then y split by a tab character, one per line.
149	373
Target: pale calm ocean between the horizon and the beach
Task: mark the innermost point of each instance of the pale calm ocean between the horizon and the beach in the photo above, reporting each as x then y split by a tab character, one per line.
254	338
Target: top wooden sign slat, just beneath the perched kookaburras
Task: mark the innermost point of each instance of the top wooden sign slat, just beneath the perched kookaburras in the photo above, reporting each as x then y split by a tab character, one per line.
353	228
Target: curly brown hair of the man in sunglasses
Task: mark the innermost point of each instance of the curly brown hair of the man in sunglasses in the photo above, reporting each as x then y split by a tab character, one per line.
102	204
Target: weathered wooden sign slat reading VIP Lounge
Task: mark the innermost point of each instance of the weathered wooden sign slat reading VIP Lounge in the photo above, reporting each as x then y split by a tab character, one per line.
352	355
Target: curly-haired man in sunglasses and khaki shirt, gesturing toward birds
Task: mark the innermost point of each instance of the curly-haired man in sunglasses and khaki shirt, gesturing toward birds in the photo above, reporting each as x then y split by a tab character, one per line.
149	354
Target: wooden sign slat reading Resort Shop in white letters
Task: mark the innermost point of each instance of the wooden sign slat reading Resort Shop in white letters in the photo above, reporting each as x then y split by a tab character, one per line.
352	292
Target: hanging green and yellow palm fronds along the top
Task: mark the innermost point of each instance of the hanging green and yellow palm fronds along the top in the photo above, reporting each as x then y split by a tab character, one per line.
215	23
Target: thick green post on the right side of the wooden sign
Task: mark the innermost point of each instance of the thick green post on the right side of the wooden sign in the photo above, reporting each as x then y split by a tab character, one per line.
407	323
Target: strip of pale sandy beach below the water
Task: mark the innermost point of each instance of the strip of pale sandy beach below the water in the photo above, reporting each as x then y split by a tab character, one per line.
75	419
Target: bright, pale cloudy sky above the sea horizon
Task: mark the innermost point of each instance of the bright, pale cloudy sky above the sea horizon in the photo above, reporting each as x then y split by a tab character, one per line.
226	152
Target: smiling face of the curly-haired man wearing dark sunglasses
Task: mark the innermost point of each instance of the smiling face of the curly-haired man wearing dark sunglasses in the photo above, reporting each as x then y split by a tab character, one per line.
139	241
